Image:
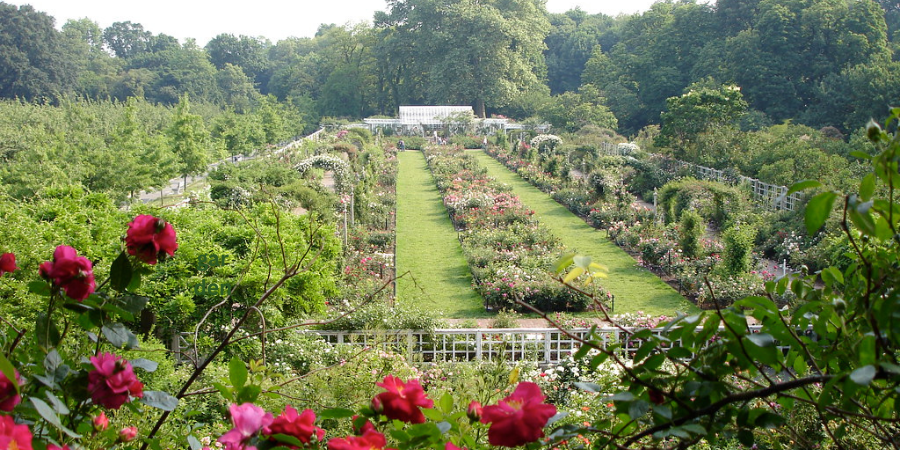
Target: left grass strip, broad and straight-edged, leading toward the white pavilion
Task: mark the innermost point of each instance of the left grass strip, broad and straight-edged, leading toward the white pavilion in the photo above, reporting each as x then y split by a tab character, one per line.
428	247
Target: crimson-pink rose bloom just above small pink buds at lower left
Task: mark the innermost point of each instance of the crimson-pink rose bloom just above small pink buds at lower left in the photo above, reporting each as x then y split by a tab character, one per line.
112	381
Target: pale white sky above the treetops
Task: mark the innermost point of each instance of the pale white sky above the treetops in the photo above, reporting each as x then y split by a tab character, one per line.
273	19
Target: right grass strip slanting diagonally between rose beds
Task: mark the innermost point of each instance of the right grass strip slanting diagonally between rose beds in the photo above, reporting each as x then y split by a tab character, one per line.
635	288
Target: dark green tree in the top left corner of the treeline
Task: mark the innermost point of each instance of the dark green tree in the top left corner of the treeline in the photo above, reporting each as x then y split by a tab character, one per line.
32	59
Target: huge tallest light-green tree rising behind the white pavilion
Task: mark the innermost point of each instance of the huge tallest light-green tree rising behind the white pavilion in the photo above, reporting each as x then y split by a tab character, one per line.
505	58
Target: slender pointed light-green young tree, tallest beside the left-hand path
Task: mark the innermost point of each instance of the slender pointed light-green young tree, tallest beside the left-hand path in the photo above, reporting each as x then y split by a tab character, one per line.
189	140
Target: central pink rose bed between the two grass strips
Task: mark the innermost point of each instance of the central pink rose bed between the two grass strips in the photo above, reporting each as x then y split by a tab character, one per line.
507	250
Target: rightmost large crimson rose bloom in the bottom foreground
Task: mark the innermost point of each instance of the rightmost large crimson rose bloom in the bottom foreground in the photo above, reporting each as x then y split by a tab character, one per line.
520	418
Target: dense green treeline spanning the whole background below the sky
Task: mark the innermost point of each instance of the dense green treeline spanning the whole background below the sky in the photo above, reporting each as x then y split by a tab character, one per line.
817	62
